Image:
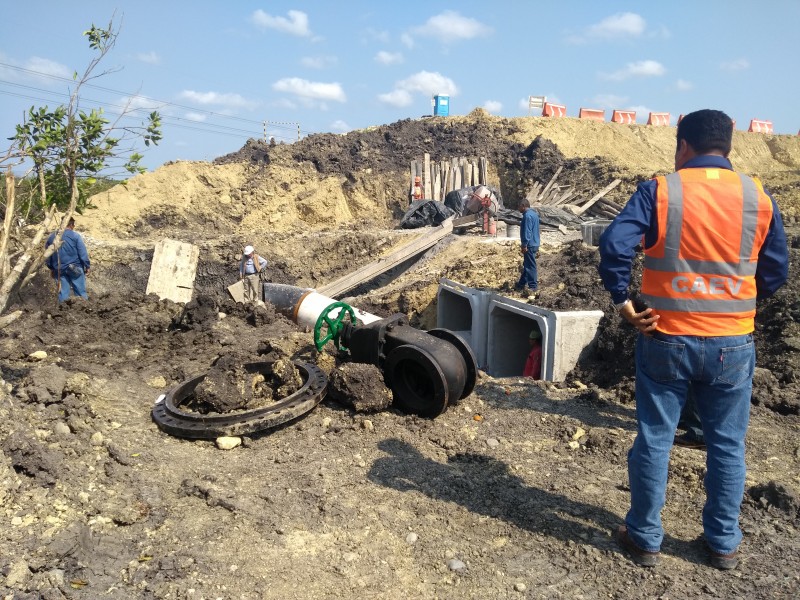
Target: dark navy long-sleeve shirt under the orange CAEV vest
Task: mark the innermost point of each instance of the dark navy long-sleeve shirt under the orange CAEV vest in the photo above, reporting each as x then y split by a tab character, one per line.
639	217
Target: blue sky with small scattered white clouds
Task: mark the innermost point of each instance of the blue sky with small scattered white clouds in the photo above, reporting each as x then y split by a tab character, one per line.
217	71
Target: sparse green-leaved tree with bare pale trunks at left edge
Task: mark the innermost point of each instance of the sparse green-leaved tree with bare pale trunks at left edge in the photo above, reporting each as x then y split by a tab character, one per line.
68	148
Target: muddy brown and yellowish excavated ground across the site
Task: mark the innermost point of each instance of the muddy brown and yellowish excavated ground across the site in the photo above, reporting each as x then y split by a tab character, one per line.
512	493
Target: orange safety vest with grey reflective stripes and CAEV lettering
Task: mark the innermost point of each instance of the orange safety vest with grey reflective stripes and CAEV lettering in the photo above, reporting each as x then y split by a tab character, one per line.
699	276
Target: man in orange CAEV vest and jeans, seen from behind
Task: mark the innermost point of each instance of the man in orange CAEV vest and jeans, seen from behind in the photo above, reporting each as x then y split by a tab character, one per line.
713	243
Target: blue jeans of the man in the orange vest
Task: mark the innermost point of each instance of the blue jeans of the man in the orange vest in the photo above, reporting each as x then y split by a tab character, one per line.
720	370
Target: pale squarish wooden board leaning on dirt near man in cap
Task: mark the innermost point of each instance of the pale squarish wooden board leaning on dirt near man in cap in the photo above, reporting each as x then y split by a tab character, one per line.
172	270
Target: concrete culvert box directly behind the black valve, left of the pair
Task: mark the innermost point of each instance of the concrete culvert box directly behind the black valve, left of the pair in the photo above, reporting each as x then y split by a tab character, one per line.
462	310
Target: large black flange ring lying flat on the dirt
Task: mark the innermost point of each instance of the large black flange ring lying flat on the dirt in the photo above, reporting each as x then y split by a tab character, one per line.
171	419
